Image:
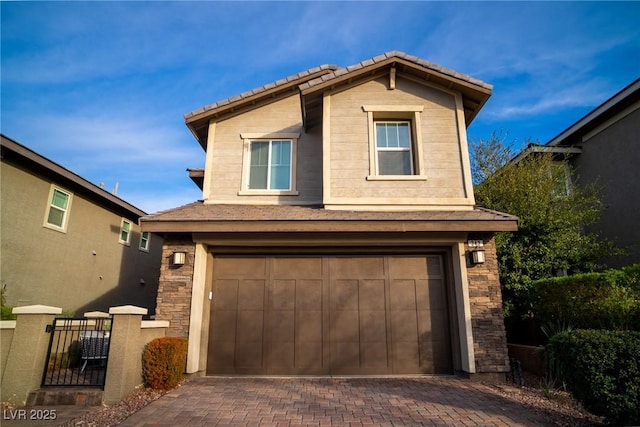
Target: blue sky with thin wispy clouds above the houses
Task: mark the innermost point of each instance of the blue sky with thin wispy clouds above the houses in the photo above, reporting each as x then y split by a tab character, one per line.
102	87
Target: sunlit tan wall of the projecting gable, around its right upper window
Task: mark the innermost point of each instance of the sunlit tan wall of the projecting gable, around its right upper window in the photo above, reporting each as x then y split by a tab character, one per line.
349	145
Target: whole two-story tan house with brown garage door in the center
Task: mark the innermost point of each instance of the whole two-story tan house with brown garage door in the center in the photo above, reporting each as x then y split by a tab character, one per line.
336	230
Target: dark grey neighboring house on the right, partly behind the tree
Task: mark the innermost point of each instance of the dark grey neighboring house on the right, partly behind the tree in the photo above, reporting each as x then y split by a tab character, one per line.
603	148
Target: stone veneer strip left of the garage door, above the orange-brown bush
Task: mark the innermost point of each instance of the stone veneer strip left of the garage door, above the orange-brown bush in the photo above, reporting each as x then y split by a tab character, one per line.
176	282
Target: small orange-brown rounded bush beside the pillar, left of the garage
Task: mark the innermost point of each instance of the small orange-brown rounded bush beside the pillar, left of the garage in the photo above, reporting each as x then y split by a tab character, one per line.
163	362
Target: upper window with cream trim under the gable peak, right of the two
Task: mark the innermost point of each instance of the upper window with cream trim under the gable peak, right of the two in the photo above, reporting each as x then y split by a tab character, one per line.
395	142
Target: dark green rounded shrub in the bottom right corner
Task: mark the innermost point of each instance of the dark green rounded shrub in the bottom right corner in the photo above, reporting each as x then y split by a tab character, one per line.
602	370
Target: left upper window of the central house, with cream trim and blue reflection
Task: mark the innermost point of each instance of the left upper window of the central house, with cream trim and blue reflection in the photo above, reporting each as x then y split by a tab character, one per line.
269	164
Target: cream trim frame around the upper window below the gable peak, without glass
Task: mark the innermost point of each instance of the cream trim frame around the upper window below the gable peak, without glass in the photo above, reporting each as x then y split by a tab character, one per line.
410	113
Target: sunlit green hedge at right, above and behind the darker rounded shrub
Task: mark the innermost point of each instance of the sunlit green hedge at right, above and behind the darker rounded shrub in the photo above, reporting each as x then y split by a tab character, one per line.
609	300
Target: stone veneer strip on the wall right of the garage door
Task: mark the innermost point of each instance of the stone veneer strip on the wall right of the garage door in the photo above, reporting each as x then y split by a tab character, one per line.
487	320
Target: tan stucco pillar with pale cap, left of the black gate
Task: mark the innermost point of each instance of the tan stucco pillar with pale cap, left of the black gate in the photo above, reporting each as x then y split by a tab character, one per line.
28	352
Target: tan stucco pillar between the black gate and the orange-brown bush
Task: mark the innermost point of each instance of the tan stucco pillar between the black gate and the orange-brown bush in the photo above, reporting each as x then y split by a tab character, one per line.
124	365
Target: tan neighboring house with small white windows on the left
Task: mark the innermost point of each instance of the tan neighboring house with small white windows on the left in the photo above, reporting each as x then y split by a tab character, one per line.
68	243
